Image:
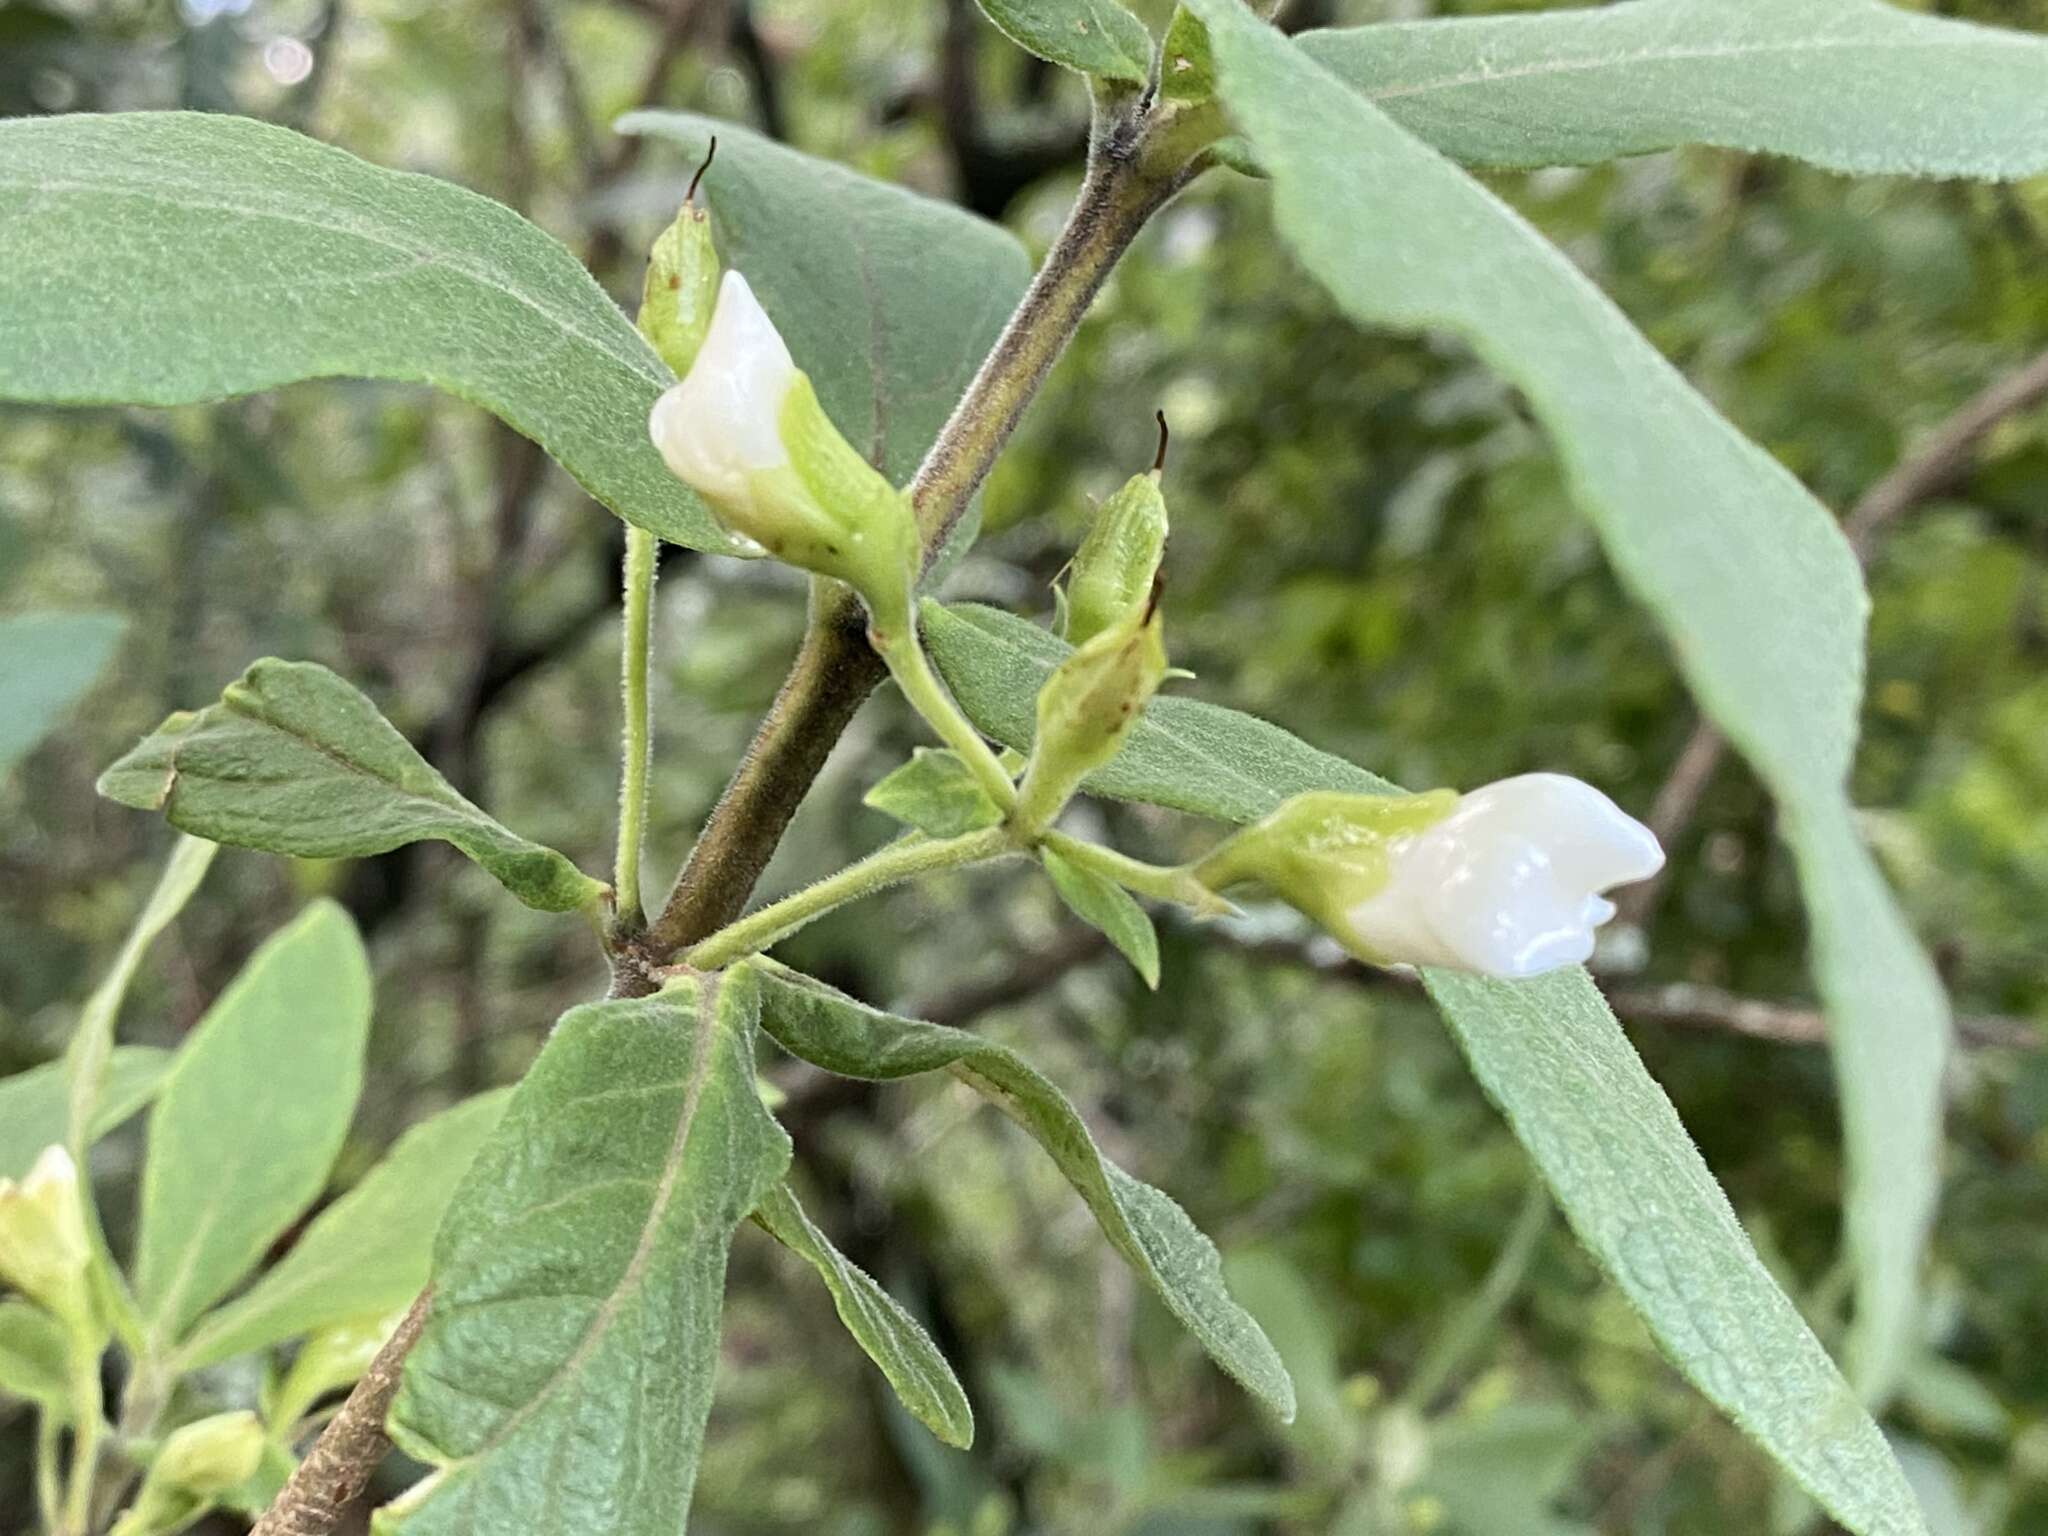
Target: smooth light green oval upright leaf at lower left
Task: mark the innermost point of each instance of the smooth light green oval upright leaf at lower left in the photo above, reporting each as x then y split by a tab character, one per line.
251	1117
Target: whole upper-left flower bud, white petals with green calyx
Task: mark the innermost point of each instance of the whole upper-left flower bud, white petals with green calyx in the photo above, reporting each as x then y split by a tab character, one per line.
746	433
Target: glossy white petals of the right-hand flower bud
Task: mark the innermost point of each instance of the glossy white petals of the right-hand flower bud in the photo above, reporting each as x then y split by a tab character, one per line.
1510	884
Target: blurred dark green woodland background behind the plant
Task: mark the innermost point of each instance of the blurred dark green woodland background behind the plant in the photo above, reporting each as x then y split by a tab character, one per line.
1371	548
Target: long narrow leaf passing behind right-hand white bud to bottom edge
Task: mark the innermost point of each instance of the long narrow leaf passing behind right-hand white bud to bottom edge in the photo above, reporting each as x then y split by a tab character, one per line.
1553	1058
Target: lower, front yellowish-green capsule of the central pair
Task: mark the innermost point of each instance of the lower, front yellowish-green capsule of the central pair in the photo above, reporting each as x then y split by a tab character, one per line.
1089	708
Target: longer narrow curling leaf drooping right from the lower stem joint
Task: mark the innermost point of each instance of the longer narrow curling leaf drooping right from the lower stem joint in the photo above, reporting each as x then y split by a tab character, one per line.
833	1031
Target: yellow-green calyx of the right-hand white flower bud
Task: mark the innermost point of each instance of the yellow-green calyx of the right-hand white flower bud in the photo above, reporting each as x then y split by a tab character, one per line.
1324	853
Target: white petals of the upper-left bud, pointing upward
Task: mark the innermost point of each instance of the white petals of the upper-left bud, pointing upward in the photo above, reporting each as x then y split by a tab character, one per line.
724	423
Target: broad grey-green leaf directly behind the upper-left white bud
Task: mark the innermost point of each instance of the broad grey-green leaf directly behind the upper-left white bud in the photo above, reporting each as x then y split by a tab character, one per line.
888	300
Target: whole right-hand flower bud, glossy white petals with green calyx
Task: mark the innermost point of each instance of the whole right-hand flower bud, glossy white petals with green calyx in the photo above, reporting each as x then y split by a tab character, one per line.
1506	882
